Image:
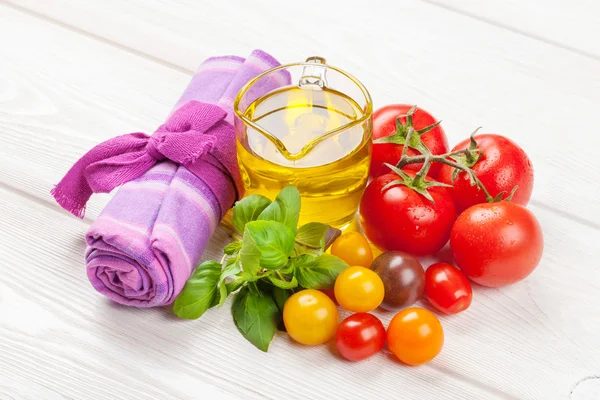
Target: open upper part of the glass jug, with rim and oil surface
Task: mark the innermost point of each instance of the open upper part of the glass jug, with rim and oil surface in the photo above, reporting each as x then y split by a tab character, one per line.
317	115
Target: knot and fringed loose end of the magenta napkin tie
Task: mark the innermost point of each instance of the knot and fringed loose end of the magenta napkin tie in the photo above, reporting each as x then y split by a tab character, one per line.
191	132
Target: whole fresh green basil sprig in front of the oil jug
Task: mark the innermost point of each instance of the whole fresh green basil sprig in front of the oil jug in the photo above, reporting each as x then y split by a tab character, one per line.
272	260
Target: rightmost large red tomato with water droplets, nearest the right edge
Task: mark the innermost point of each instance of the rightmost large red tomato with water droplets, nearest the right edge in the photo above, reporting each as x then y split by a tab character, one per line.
496	244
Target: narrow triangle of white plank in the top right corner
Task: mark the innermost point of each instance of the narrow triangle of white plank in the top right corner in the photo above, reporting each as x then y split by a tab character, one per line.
572	25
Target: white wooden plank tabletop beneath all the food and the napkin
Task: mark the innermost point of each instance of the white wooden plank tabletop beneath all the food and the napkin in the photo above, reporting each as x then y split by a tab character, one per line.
75	72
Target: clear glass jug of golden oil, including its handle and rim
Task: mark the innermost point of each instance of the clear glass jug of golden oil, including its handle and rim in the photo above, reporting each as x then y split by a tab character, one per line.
308	125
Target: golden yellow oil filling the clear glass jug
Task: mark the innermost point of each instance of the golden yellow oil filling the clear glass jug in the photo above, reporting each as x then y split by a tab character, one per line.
330	169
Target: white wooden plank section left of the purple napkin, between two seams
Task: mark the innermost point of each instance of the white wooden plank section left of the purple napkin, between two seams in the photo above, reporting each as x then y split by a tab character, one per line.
57	97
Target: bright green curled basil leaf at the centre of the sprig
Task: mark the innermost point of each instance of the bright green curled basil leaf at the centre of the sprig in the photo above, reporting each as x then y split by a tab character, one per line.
274	240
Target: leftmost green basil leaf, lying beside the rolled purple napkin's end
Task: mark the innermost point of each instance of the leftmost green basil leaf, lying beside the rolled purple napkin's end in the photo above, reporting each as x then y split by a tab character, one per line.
199	292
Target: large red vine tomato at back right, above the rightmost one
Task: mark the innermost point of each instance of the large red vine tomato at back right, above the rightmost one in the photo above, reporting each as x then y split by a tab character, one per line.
501	166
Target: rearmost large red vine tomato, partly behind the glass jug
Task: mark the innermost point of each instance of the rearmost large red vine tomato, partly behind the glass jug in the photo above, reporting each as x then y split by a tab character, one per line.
384	124
